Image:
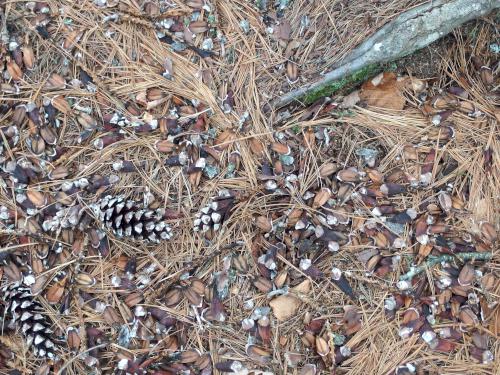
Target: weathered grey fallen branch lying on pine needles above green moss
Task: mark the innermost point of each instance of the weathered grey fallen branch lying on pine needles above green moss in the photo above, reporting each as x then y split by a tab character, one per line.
409	32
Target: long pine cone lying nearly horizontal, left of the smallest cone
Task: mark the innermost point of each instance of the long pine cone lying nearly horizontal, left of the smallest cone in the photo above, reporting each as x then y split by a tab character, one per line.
126	218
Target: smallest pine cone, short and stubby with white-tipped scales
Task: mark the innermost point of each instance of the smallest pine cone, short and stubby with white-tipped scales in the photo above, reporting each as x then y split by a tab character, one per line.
213	215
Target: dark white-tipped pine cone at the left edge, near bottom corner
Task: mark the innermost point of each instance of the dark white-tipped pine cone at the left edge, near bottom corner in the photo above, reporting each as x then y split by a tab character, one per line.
26	314
